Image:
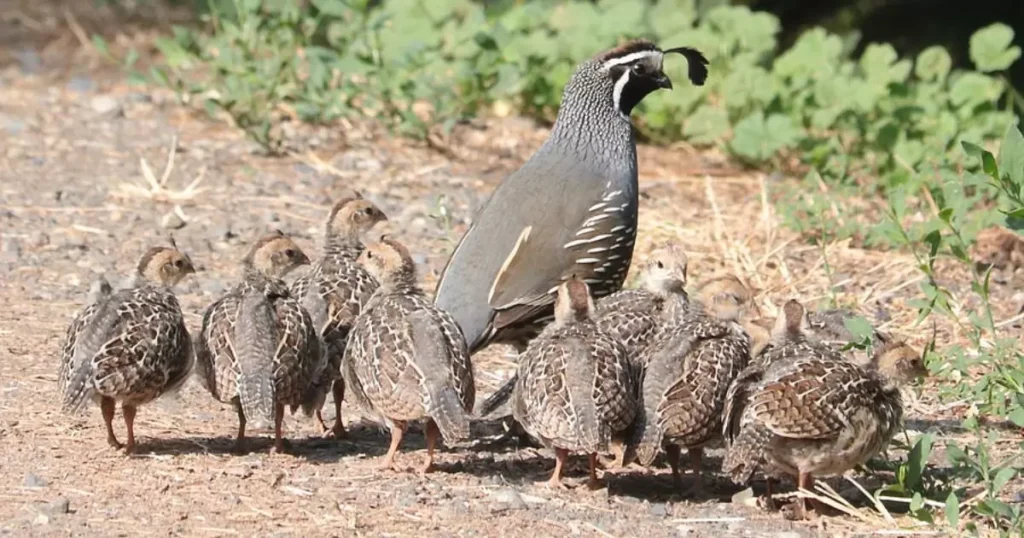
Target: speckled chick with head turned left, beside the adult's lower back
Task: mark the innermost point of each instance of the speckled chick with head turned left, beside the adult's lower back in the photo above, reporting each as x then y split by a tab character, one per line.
407	360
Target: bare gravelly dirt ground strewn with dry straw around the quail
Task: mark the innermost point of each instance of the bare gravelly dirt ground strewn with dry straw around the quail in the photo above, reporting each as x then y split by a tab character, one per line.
74	205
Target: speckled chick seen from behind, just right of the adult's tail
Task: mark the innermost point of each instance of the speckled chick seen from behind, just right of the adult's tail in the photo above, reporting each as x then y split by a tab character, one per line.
575	389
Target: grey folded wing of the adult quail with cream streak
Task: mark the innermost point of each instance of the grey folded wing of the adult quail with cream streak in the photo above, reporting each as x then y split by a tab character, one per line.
538	228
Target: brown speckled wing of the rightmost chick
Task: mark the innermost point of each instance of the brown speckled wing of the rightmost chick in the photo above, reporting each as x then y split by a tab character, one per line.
808	398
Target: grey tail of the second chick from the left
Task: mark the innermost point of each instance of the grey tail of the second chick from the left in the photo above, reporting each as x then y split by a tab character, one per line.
255	349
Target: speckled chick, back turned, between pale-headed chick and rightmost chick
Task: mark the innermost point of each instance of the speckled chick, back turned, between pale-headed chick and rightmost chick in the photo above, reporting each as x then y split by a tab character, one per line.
689	368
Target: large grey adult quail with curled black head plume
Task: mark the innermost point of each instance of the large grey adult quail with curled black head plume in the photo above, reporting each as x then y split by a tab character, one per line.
571	210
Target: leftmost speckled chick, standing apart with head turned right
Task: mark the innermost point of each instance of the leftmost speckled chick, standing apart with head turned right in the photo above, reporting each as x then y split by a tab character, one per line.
131	346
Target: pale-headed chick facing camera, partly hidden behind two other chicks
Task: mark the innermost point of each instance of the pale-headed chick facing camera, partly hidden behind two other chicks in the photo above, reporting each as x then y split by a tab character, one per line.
631	317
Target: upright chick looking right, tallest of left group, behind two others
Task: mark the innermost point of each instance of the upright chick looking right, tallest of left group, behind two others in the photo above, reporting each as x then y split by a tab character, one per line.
334	292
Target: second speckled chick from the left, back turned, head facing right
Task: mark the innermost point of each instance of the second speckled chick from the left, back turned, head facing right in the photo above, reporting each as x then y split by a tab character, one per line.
260	349
